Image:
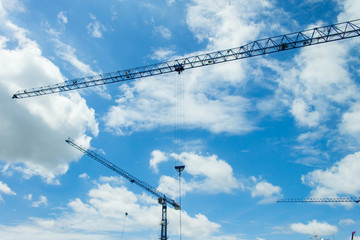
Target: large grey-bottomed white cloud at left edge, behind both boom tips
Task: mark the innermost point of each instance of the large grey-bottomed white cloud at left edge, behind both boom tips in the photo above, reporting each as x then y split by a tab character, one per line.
33	130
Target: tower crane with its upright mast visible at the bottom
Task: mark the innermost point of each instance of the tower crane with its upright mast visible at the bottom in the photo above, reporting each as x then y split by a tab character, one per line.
163	200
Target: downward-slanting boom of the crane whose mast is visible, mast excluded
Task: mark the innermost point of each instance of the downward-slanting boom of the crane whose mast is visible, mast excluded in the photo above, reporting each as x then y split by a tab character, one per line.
123	173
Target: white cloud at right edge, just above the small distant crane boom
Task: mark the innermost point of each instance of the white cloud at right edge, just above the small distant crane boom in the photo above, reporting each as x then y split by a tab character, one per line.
338	179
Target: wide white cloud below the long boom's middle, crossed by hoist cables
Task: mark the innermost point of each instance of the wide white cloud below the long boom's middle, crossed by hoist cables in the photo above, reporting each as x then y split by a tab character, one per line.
152	102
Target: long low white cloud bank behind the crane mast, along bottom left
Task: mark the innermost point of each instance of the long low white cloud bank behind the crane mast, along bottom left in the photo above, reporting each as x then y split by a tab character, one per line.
107	204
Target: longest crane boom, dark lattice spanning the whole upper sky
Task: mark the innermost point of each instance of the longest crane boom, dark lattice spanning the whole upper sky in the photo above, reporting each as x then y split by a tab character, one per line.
318	35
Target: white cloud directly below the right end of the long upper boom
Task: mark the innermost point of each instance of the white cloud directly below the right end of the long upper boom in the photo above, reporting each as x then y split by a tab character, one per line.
312	97
